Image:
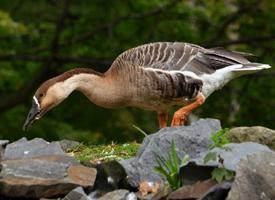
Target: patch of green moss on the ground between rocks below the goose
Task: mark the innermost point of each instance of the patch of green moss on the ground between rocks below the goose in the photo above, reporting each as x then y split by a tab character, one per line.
100	153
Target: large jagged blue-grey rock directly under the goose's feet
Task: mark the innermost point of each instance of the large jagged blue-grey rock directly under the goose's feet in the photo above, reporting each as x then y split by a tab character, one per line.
191	140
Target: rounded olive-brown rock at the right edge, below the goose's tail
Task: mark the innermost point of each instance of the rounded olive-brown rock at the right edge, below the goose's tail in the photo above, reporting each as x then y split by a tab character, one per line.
256	134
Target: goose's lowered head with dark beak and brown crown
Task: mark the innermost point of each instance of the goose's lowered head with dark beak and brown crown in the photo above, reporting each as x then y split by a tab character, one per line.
47	96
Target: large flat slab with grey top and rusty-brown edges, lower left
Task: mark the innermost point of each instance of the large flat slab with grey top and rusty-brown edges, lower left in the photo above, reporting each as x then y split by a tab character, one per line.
44	176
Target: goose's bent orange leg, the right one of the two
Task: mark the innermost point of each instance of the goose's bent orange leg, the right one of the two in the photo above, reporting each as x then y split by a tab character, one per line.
180	115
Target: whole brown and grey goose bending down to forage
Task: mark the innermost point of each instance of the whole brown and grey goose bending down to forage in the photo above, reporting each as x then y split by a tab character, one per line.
153	76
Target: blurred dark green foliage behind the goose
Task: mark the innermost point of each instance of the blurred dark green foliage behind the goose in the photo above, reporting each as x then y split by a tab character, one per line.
43	38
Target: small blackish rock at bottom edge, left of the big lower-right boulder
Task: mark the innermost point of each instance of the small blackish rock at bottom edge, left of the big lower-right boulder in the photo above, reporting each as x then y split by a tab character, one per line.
217	192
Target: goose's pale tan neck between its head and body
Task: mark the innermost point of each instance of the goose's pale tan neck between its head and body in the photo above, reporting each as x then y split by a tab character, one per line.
100	89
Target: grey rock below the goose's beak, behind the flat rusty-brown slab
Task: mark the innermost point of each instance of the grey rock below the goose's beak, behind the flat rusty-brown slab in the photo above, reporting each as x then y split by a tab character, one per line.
35	147
